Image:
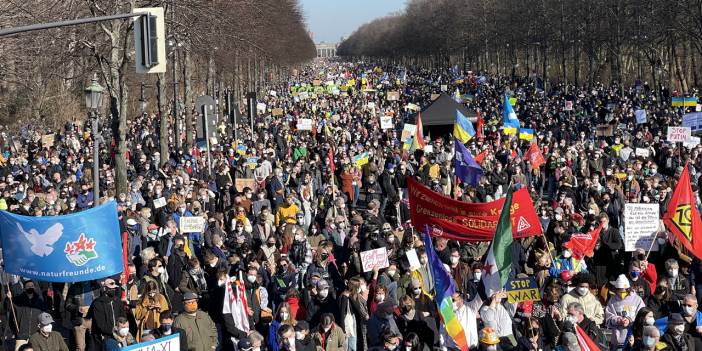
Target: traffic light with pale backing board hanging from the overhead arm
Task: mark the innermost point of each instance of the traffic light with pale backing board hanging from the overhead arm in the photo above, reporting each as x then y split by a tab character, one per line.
149	40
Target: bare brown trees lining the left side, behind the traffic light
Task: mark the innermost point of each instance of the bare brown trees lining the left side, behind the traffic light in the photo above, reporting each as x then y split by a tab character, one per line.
213	45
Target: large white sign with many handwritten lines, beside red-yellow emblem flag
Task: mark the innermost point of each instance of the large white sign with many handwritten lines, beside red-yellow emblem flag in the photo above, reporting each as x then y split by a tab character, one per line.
640	224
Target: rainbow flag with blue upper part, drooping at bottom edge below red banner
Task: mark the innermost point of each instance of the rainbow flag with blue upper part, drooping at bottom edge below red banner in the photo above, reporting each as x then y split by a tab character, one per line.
445	288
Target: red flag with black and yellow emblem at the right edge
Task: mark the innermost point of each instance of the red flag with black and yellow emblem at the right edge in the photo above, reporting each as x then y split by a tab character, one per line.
682	217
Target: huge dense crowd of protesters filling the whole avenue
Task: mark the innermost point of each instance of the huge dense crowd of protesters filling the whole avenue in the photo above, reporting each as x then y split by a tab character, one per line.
289	211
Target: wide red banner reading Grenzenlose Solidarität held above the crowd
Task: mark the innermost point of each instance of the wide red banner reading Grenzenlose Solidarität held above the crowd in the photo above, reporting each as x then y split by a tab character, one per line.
464	221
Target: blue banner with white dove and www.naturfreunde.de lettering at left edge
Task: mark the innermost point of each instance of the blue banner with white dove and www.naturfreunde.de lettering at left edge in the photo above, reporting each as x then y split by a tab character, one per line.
77	247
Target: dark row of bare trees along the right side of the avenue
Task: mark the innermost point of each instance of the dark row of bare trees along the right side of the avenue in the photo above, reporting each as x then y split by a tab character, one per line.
575	41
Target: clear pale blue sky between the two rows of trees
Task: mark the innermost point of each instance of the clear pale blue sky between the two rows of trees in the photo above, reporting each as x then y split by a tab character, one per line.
329	20
